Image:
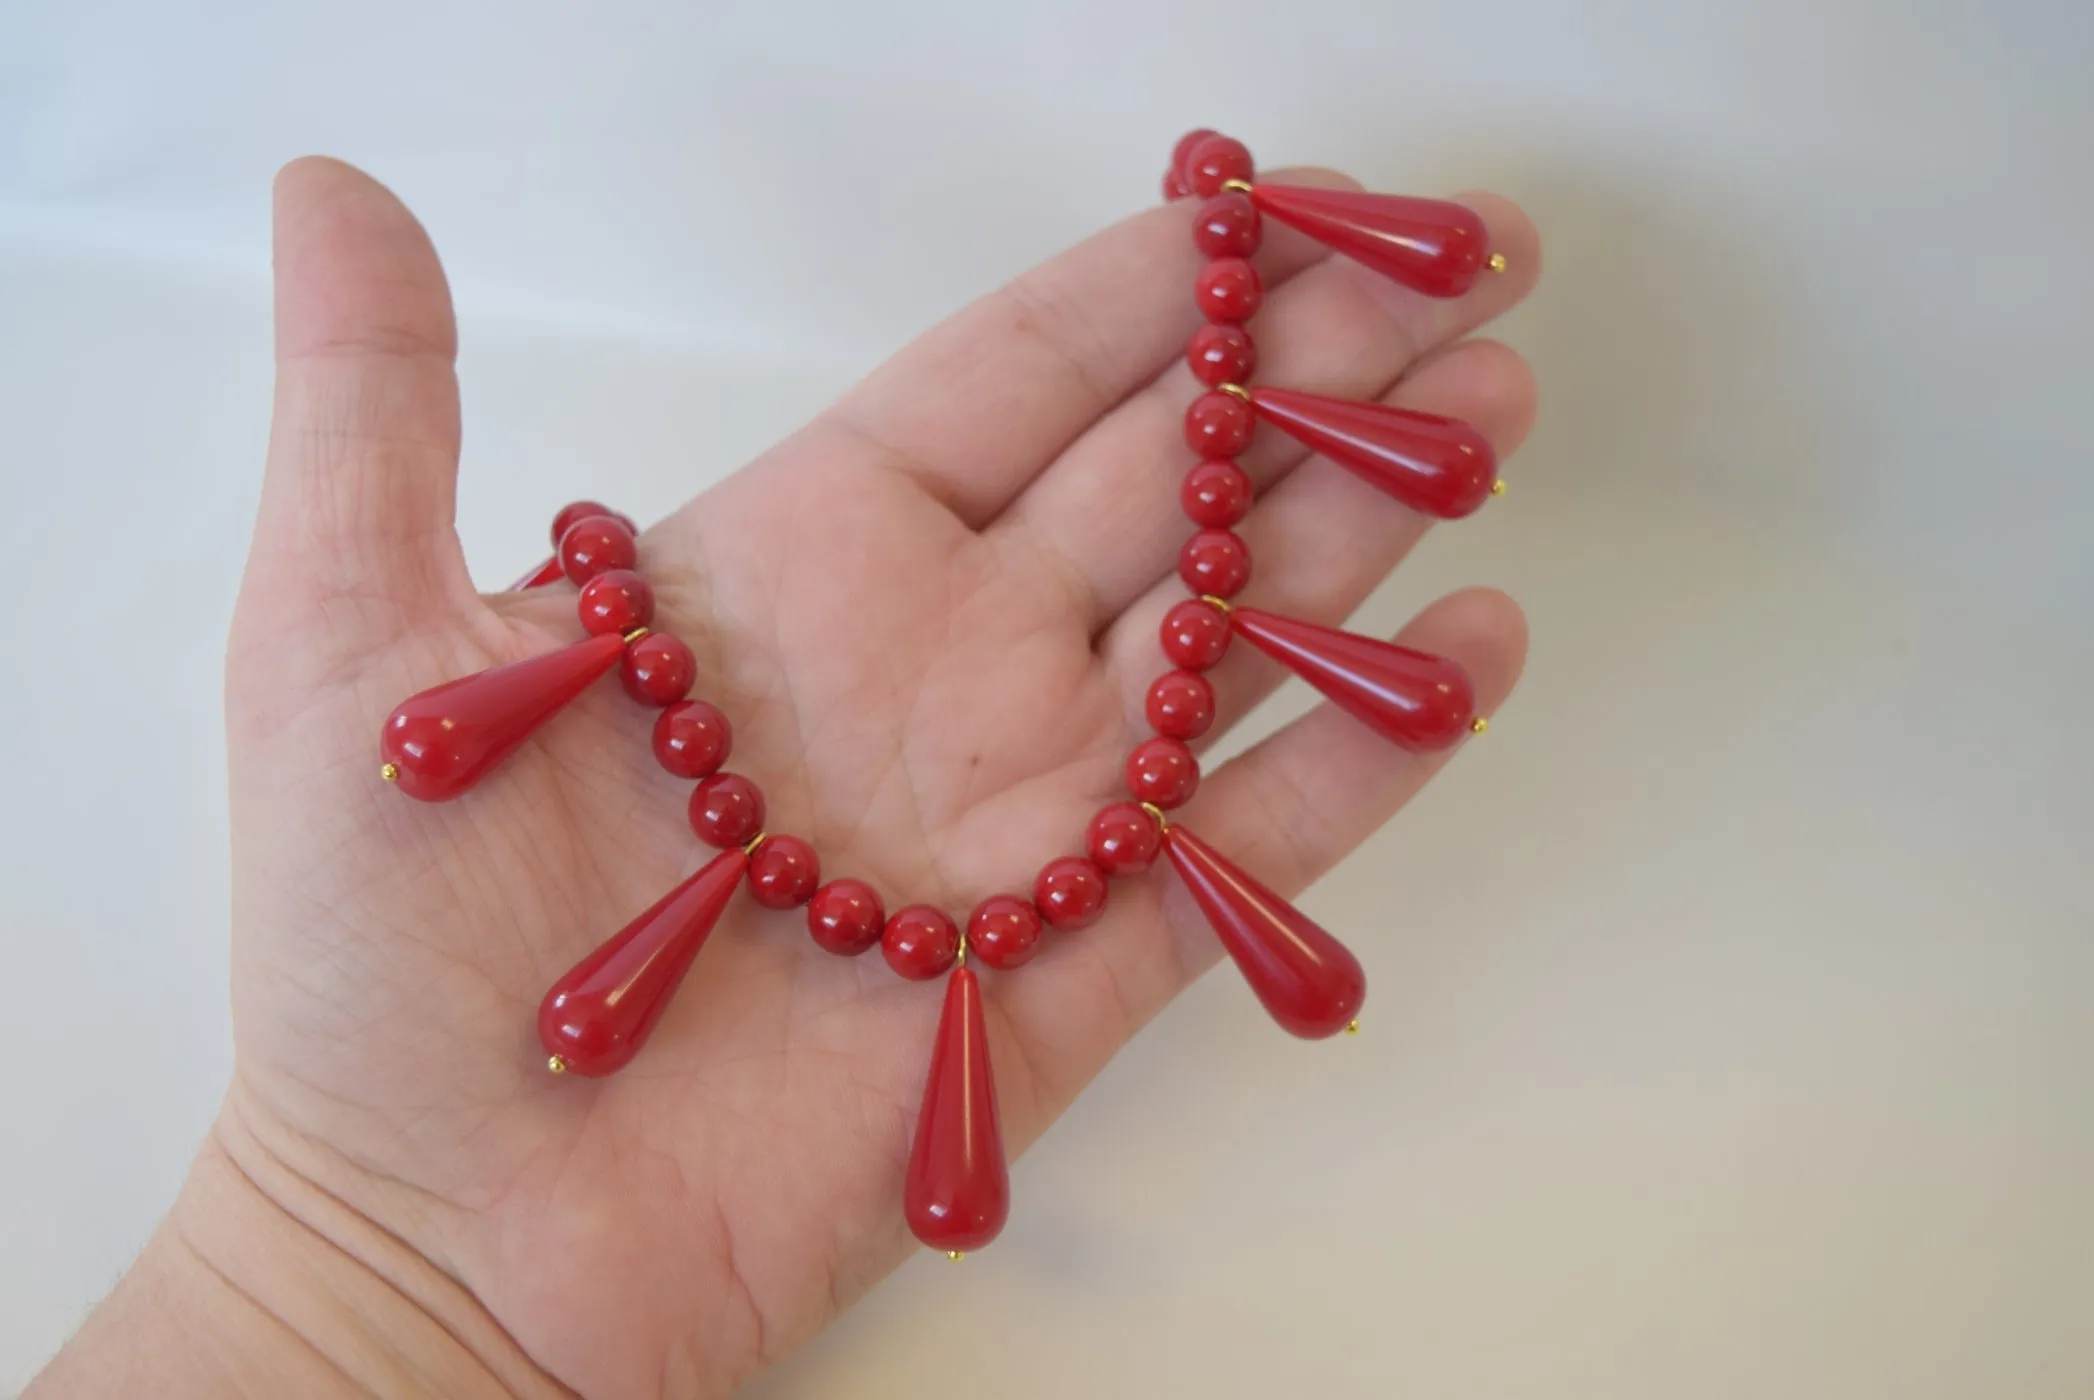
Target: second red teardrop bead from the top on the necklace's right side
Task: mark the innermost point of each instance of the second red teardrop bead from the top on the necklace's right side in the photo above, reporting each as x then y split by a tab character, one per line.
1438	466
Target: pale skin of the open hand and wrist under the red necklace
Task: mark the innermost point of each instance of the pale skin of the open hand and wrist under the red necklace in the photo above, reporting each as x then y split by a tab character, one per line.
931	616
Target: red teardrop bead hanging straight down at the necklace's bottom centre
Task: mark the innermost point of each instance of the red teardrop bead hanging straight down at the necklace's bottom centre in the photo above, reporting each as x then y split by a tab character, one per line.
958	1192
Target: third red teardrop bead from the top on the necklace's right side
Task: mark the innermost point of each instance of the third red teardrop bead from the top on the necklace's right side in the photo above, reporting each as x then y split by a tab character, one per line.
1410	698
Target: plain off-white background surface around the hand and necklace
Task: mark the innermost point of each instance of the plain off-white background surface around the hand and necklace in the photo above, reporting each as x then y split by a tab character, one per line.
1731	1001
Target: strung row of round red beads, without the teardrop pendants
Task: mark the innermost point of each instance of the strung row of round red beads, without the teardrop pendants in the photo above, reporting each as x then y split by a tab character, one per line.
598	551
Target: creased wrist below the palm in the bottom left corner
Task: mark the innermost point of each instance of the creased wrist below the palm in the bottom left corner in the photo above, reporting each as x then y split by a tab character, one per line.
265	1284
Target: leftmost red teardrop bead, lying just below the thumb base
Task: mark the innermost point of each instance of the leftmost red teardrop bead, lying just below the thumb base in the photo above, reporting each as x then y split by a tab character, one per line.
453	736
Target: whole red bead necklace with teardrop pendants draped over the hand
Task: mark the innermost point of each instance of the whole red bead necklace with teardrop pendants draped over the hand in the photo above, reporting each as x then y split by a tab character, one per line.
596	1018
